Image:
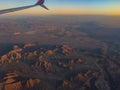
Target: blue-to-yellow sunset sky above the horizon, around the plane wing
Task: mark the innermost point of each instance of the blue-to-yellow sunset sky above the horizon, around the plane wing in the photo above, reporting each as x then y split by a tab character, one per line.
66	7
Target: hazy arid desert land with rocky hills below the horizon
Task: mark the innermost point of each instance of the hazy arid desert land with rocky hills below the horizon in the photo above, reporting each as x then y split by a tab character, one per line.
60	53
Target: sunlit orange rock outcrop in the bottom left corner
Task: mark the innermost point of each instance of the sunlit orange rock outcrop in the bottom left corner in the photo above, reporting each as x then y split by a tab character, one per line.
12	81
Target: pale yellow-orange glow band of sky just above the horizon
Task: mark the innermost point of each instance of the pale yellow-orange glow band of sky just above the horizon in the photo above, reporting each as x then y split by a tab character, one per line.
67	11
